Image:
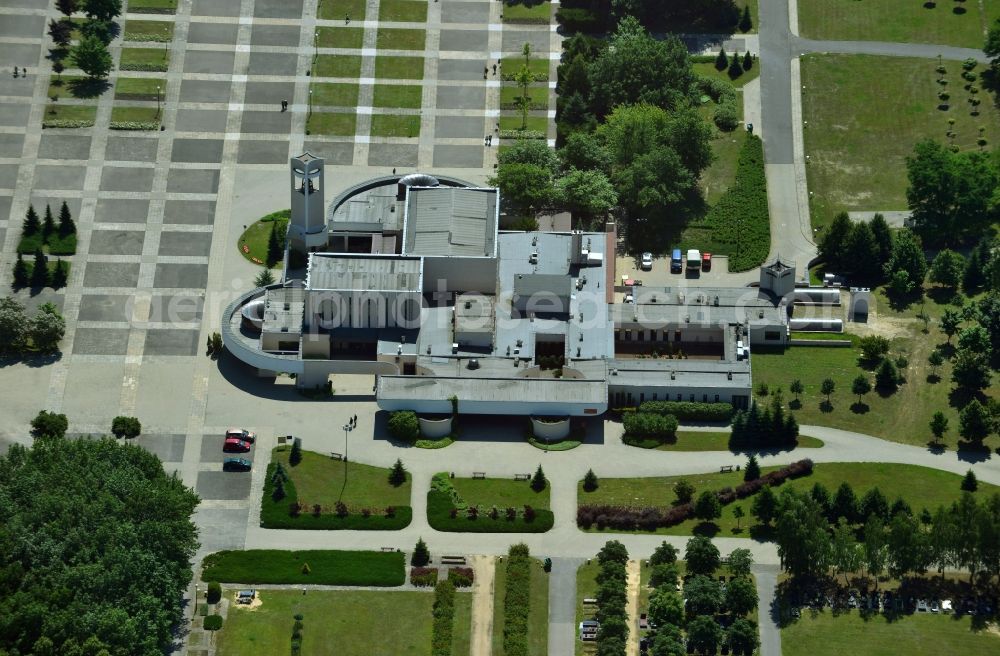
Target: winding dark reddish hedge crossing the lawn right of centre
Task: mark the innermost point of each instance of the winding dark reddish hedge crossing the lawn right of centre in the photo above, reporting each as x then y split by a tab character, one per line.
624	518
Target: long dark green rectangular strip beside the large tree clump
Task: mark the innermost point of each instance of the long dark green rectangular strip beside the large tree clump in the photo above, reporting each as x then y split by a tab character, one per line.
368	568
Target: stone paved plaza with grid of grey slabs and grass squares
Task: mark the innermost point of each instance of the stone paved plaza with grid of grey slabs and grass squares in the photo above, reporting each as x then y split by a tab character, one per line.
159	212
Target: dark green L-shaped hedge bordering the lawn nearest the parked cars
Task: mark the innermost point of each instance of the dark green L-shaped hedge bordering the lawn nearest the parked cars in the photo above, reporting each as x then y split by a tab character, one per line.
278	513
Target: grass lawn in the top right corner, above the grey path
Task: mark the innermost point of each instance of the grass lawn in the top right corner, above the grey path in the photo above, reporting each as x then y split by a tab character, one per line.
891	20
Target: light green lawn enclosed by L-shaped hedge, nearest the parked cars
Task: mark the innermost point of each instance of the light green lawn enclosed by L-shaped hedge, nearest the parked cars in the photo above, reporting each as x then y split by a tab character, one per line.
320	479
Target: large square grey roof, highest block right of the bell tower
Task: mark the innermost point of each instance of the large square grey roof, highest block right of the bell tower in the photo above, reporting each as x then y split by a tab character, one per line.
450	221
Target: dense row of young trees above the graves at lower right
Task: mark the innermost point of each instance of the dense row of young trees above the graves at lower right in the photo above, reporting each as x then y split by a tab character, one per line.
893	540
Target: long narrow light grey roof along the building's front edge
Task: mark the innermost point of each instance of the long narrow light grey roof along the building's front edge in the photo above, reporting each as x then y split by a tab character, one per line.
513	390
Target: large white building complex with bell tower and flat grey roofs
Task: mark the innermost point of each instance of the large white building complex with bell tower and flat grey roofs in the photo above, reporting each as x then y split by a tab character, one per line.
411	280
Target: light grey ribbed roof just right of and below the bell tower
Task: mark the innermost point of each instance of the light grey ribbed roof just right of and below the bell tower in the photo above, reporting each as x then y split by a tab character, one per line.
329	271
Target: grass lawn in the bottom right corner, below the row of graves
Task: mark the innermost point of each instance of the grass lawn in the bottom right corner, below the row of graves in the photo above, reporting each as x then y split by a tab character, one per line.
920	634
